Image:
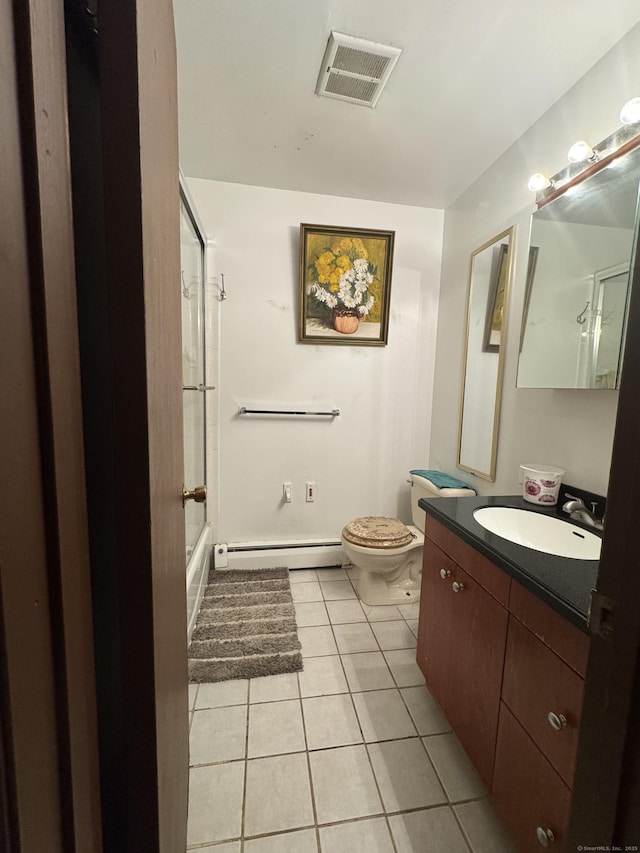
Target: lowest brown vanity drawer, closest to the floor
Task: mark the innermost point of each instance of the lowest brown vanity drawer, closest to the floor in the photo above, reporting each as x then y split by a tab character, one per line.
529	795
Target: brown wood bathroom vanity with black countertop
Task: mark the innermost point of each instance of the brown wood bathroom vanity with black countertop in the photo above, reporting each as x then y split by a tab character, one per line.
503	645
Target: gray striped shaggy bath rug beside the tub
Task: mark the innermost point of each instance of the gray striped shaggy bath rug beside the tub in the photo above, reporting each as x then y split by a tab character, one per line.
246	627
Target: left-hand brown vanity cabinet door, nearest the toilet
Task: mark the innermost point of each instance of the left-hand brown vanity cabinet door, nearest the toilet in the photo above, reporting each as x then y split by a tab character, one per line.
435	628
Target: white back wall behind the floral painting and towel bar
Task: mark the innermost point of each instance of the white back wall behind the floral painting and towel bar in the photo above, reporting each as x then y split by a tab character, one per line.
359	461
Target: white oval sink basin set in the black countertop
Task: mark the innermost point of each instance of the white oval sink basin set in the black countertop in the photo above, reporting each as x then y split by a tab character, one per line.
545	533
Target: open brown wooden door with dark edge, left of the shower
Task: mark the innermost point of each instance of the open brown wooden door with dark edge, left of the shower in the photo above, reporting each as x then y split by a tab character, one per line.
124	151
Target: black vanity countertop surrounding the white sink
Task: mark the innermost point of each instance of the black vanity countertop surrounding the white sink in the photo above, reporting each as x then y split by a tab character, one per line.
564	584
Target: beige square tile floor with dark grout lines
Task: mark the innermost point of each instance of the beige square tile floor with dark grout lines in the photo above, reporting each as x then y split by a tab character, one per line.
352	755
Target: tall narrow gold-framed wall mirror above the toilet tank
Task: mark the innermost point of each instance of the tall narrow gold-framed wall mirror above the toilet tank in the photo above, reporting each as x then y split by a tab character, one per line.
483	361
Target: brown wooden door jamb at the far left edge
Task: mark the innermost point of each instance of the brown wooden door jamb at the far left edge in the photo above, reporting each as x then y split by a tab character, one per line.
47	694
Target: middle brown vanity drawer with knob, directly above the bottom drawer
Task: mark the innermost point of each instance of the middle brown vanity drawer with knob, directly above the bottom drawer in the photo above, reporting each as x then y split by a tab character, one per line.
536	684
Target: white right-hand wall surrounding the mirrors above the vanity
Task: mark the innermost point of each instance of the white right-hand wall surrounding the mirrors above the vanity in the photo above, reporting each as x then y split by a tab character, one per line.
573	429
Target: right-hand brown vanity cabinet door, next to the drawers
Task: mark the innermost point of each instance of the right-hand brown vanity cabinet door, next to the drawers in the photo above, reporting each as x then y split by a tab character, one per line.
479	629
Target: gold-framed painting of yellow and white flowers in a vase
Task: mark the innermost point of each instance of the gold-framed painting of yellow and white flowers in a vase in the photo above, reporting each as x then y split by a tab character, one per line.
345	285
